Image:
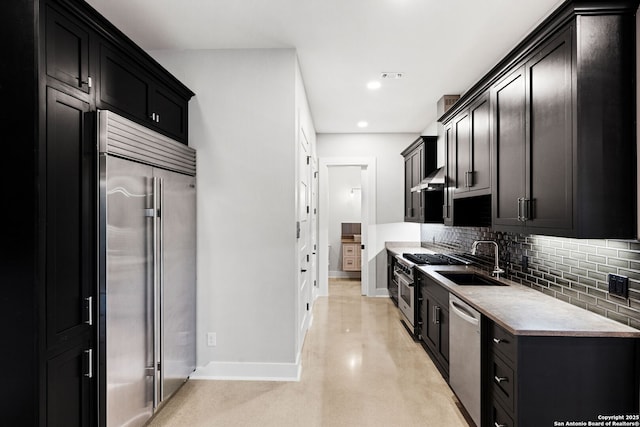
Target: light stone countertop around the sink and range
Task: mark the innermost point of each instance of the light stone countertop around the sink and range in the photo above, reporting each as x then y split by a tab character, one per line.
522	310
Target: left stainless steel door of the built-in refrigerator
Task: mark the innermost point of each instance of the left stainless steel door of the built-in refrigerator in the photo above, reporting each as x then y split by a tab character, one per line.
127	292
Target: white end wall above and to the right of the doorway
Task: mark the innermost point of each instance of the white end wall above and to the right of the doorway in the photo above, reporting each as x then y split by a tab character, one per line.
390	225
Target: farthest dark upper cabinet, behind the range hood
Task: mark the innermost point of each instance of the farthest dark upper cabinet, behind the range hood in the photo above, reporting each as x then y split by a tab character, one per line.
419	161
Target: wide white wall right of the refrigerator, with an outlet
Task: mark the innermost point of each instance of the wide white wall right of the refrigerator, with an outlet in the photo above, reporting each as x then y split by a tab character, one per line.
242	123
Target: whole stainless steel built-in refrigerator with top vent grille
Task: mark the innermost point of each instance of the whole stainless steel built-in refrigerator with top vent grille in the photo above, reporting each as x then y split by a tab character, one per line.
147	269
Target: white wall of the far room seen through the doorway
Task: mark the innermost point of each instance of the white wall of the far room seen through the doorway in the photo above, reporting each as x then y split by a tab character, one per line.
344	206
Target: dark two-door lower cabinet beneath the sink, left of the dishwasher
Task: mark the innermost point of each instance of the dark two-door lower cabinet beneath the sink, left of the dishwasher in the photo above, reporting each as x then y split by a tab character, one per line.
433	321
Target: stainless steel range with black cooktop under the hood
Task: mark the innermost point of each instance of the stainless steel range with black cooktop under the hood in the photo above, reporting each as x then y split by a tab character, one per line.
403	275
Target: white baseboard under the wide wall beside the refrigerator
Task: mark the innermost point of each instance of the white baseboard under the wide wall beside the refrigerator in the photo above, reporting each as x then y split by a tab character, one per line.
239	371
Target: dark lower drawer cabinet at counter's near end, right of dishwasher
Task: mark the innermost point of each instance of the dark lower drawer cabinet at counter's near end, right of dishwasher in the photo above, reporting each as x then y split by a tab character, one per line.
535	381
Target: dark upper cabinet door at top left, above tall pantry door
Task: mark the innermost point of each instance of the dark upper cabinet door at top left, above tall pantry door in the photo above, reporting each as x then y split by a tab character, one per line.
67	51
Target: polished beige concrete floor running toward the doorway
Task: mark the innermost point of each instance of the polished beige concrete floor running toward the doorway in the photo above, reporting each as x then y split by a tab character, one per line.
359	368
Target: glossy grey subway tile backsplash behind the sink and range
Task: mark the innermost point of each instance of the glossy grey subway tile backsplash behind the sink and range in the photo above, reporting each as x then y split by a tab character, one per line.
572	270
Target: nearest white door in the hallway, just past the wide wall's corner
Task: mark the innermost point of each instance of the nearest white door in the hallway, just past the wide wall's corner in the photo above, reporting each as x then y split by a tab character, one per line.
304	236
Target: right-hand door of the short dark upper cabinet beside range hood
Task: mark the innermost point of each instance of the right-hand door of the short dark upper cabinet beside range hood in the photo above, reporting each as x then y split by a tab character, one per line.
480	142
